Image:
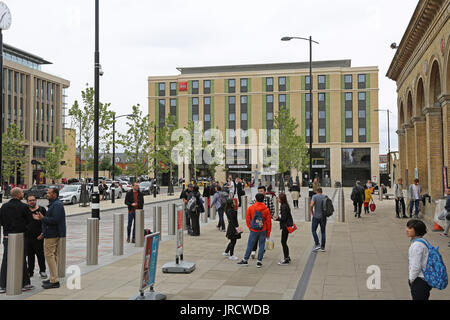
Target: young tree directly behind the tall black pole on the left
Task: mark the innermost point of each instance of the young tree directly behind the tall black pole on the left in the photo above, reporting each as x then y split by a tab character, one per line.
83	121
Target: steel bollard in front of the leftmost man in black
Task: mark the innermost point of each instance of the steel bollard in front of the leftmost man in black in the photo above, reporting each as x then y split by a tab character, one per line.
14	274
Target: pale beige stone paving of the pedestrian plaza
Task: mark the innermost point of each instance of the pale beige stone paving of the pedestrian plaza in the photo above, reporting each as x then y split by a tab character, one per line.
338	274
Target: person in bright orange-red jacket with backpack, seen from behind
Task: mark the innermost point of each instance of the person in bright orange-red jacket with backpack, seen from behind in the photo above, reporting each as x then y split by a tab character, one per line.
259	221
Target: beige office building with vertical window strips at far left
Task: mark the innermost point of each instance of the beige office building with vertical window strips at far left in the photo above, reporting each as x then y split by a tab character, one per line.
36	102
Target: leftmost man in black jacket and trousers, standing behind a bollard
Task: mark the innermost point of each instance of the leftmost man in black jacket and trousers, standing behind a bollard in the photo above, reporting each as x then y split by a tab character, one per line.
14	218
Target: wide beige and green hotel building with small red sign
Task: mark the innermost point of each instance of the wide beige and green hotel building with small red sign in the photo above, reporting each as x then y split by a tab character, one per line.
345	123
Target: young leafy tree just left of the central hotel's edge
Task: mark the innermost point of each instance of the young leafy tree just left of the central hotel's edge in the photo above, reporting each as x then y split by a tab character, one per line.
136	143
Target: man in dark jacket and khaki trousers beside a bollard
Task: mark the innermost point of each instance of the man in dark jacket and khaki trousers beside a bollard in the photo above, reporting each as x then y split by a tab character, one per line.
53	228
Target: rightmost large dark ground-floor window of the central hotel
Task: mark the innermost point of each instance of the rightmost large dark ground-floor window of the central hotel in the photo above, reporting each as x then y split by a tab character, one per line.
356	166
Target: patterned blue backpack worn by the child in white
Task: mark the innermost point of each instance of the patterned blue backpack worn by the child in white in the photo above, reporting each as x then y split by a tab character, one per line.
435	272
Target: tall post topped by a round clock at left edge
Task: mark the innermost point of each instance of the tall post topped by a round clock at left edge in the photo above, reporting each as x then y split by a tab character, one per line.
5	24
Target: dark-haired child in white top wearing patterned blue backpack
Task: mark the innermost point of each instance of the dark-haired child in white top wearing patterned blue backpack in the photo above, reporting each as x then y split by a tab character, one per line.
426	267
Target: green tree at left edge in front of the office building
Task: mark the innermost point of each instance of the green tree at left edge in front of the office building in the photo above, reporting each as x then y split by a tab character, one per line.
13	151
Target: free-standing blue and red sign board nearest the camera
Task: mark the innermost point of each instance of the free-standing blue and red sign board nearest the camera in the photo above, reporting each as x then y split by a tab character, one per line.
148	270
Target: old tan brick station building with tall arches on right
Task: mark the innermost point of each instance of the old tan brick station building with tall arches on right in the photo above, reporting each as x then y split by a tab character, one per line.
421	69
